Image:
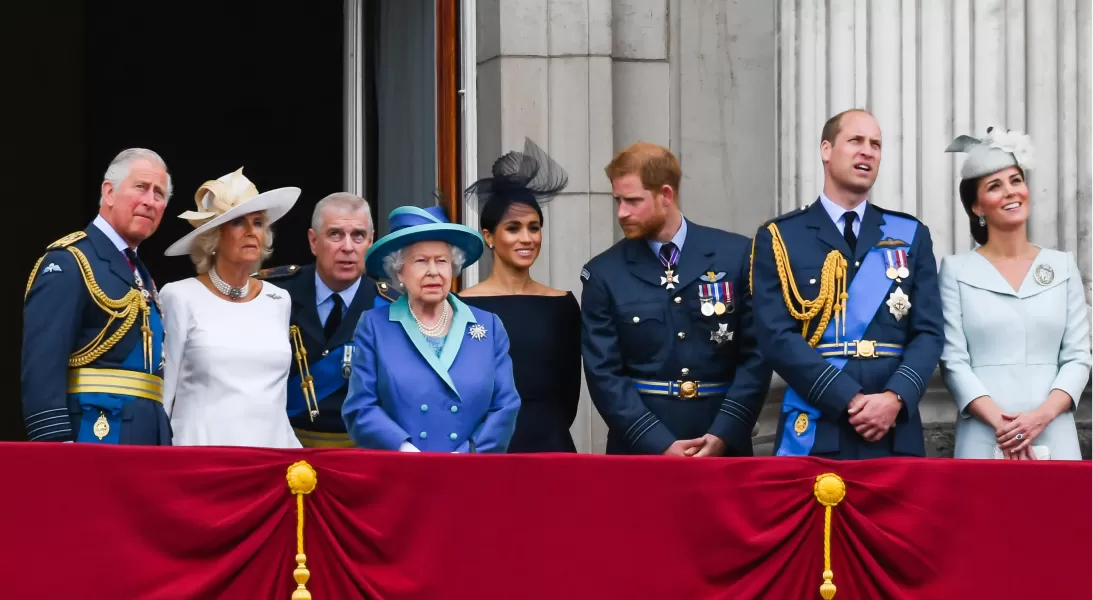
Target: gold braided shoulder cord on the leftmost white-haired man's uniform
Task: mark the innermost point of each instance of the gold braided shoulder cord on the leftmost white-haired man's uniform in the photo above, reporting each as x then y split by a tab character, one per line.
126	309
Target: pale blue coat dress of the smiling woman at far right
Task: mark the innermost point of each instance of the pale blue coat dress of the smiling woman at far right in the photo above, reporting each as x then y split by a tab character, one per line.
1015	347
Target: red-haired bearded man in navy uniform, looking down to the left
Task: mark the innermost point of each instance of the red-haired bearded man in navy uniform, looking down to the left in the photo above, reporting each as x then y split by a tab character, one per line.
671	357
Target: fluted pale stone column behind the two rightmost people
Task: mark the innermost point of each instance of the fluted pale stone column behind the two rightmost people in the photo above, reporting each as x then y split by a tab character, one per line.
915	67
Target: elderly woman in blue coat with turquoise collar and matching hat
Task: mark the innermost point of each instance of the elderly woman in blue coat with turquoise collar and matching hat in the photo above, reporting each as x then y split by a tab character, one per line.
444	380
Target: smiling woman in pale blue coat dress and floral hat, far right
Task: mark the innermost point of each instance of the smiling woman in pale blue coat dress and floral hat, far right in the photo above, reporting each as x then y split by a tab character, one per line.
1017	354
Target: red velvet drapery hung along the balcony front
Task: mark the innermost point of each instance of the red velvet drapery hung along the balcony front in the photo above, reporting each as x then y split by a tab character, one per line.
122	523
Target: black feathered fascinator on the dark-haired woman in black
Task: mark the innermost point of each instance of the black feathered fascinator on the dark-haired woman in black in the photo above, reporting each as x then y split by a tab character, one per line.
530	178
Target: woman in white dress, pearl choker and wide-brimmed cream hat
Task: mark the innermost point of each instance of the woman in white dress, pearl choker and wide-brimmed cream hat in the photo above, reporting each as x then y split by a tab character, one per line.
227	334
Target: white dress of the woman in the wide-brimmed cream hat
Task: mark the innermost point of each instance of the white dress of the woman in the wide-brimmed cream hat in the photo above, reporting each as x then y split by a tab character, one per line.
227	367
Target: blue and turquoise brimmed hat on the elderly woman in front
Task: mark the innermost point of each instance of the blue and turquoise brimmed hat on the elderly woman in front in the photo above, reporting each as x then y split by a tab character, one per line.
414	225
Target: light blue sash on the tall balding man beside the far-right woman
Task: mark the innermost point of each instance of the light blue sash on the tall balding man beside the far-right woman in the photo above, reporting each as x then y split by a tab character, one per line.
866	296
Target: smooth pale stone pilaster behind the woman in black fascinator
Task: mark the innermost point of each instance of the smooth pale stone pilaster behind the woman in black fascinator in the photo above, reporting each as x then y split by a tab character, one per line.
545	72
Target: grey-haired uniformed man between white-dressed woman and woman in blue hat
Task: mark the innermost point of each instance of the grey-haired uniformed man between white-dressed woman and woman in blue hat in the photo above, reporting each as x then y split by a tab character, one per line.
327	301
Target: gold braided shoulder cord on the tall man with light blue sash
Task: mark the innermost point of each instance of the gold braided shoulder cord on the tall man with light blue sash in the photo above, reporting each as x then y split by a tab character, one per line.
831	299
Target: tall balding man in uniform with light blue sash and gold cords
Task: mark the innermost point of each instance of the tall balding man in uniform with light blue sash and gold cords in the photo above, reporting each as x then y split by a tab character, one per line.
848	310
